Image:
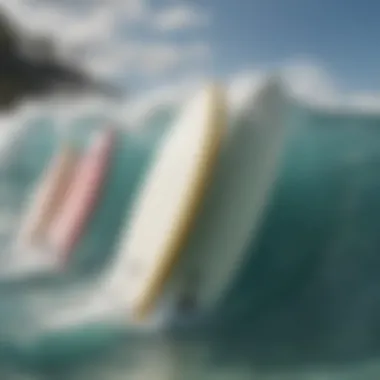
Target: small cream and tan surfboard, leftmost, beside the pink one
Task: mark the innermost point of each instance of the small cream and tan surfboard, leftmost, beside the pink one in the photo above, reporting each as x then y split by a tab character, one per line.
48	196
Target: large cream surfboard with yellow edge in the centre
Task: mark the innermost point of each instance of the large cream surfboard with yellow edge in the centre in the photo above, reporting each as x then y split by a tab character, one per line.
168	202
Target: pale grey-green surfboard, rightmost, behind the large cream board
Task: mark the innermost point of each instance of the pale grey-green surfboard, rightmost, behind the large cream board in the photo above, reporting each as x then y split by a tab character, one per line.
234	205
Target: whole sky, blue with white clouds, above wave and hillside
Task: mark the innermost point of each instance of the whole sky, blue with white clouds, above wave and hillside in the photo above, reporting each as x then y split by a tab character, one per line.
148	42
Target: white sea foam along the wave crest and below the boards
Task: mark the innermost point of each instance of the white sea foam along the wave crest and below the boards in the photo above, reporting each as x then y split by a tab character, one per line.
307	84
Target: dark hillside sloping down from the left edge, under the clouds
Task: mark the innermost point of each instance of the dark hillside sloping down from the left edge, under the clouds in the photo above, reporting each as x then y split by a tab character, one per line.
25	75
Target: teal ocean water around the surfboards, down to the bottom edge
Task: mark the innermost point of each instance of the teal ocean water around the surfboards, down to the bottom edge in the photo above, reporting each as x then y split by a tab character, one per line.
305	303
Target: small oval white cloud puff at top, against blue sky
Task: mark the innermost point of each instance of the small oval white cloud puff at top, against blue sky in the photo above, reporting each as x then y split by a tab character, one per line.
179	17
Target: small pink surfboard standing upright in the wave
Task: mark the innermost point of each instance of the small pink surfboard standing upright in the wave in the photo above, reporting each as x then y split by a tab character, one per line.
82	195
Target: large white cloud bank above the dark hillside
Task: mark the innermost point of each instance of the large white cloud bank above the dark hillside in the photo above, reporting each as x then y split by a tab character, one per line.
90	33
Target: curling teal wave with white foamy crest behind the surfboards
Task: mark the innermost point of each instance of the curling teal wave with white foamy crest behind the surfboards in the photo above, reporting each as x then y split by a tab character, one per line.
320	204
